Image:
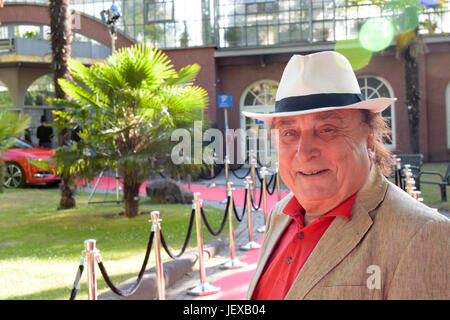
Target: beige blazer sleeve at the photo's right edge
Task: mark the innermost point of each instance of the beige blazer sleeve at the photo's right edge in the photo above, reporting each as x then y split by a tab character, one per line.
422	271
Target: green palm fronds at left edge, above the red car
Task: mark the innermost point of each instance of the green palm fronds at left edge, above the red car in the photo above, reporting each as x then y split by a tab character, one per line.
11	124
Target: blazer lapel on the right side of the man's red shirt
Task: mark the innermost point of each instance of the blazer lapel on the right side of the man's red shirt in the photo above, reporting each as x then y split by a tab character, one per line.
340	237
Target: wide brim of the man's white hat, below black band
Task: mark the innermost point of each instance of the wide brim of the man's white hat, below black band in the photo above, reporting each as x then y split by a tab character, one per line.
373	105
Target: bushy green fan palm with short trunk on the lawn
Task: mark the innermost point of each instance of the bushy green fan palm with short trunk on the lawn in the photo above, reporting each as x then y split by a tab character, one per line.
126	109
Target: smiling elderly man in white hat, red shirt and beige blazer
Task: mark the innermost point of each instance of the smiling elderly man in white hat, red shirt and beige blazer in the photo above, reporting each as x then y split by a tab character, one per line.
345	231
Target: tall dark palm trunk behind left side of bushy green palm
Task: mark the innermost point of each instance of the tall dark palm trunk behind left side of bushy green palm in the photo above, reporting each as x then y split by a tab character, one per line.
61	42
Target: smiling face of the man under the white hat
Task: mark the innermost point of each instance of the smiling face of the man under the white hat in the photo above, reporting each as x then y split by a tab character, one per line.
323	156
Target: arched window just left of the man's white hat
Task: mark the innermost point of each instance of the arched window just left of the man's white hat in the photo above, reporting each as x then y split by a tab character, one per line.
257	97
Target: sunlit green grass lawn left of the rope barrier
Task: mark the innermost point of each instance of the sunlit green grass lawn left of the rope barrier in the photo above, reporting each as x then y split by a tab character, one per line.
40	247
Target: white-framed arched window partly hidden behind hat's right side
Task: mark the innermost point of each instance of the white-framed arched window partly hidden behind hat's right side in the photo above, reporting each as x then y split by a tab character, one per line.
376	87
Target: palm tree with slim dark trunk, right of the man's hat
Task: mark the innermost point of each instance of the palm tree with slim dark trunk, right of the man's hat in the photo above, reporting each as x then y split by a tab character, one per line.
410	46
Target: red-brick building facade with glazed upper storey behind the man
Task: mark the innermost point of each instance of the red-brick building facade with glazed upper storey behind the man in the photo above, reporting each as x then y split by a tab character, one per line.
243	46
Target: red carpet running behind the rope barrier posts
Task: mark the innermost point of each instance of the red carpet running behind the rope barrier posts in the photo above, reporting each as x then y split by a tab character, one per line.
233	283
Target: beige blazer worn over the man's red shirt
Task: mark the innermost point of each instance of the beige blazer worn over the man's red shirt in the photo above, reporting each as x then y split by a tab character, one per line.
393	247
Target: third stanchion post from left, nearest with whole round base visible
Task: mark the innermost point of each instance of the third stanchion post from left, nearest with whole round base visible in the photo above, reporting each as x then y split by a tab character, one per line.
203	288
